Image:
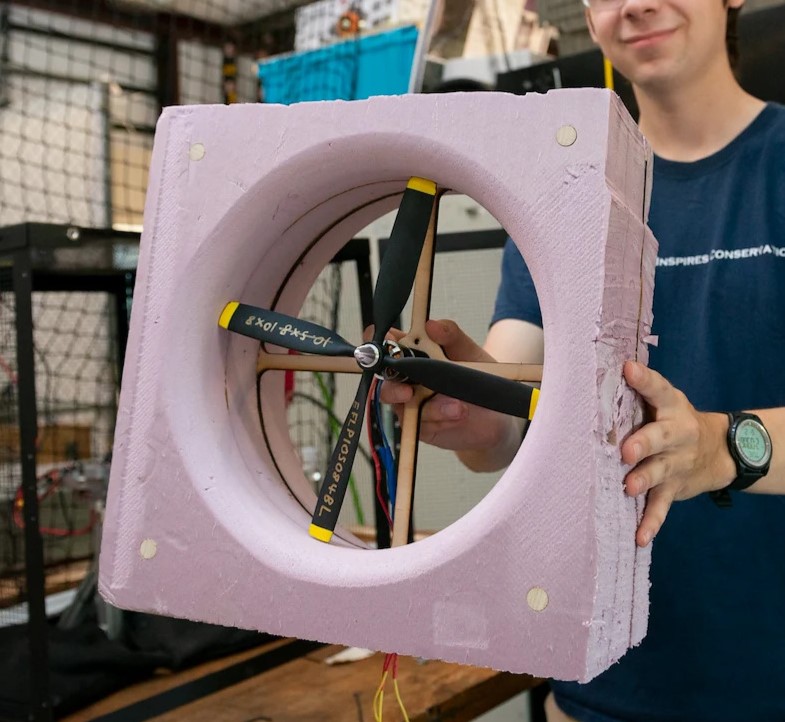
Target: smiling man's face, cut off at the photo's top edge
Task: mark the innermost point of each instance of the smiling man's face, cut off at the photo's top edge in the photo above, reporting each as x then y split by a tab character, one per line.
662	43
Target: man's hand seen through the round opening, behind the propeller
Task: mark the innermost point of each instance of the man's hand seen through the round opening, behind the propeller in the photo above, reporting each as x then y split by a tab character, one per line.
486	440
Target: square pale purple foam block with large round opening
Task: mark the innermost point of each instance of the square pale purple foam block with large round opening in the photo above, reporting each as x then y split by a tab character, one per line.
249	202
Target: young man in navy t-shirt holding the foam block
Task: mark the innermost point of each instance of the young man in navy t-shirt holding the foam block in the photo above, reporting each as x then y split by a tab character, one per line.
715	650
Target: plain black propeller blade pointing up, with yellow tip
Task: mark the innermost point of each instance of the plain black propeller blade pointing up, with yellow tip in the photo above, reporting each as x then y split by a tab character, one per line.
399	265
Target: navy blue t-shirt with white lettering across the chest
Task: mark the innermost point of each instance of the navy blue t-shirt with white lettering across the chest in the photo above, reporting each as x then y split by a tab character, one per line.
715	649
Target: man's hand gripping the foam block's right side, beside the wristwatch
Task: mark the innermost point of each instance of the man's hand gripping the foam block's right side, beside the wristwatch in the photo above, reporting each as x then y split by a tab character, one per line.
679	454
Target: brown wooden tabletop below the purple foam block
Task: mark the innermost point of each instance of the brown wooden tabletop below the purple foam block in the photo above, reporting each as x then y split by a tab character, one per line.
306	689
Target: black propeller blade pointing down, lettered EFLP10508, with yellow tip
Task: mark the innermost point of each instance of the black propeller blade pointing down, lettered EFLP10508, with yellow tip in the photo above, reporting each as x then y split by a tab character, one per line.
336	482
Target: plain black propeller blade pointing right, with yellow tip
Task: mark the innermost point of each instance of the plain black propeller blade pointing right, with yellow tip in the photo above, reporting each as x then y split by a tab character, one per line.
470	385
